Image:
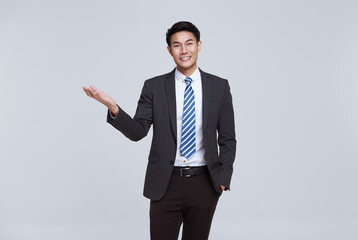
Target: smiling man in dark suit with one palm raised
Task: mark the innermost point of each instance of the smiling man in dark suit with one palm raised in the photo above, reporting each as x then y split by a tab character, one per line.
192	115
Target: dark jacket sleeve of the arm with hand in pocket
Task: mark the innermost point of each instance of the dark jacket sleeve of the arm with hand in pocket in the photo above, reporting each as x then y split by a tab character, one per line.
226	138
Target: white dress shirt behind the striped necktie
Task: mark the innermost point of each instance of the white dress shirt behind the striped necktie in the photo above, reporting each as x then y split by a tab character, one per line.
197	159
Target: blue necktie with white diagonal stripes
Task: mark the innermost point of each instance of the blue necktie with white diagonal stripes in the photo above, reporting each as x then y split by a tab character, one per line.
188	144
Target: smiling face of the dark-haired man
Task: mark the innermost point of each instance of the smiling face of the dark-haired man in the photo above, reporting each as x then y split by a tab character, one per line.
184	49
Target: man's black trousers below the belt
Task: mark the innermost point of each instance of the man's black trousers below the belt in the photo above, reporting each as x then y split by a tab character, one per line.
189	201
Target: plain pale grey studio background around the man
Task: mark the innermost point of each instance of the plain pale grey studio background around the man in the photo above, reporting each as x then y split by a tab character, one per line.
292	65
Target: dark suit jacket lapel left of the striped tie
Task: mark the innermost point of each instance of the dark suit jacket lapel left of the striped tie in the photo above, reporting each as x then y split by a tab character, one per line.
170	90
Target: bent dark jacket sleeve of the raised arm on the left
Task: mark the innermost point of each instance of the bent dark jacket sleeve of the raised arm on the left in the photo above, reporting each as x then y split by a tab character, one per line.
137	127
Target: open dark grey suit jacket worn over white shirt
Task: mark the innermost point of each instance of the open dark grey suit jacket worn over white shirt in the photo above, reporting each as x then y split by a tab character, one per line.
157	106
